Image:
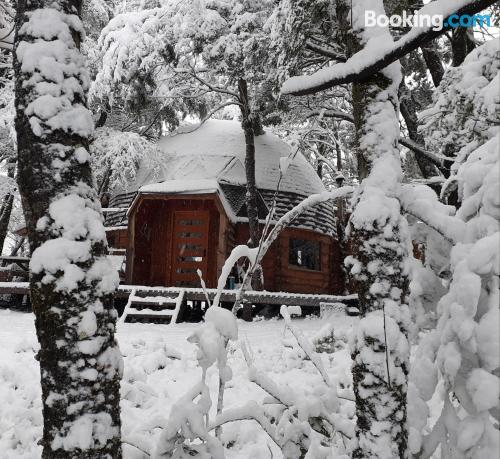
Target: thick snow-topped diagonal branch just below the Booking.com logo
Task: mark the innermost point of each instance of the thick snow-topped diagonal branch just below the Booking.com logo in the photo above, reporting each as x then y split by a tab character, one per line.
374	58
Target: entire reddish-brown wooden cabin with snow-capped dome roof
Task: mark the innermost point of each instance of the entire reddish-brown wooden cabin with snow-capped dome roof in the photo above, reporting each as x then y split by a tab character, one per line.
191	213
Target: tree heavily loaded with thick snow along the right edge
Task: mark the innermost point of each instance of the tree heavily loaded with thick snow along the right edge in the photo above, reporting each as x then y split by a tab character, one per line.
462	353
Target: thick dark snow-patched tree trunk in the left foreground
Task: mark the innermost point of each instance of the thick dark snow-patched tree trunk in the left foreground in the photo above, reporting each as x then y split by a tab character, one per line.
71	280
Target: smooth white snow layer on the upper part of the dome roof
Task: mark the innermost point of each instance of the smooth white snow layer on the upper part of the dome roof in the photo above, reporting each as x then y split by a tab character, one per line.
216	150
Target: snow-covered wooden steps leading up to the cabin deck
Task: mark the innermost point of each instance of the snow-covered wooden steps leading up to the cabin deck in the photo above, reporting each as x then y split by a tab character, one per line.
158	308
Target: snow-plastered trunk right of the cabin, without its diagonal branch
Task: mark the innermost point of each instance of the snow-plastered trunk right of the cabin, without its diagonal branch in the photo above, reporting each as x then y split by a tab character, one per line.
379	241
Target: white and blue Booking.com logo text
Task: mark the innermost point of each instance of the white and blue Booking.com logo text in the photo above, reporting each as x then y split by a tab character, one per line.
434	21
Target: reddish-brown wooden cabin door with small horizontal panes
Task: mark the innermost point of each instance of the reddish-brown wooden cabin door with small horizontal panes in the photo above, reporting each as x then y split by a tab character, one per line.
189	247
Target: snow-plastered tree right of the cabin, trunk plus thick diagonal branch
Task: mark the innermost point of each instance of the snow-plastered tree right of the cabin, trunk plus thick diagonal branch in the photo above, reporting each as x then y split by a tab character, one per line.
379	233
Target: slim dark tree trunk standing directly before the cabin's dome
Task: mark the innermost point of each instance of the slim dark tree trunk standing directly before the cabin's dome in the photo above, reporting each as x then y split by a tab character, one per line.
248	124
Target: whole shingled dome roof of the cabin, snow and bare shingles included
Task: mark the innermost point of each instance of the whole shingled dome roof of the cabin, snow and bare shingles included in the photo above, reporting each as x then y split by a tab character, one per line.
211	159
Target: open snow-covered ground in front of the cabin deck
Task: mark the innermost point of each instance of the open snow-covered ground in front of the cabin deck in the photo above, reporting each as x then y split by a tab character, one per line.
160	366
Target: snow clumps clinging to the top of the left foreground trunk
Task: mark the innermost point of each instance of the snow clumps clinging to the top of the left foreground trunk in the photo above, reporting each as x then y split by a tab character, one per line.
58	78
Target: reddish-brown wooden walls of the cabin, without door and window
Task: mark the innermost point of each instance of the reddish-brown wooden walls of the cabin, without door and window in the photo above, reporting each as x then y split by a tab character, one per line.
150	255
